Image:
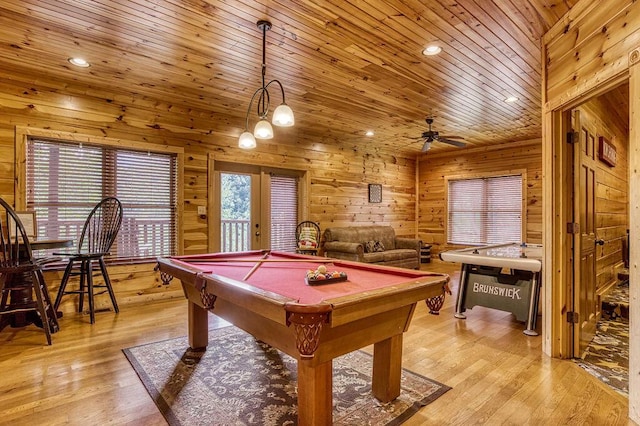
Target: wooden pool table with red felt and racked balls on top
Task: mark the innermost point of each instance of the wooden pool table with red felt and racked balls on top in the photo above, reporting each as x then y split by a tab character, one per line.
265	293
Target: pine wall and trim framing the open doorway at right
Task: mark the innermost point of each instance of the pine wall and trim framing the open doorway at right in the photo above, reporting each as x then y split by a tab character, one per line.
592	49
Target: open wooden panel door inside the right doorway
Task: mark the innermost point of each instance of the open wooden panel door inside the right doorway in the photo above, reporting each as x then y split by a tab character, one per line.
584	191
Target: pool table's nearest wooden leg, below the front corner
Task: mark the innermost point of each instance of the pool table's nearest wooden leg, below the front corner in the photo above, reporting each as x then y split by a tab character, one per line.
315	399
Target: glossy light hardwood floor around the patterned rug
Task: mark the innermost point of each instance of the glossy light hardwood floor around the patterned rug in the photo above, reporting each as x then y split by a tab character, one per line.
498	375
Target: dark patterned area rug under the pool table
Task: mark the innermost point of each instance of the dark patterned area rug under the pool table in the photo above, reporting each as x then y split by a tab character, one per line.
241	381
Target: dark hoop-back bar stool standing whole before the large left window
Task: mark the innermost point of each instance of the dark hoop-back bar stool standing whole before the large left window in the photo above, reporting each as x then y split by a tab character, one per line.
98	234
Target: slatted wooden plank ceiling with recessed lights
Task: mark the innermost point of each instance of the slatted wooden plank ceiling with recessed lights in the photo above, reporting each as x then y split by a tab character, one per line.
346	66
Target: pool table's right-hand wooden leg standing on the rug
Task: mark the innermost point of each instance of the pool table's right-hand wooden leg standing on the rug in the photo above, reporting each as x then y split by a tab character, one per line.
387	368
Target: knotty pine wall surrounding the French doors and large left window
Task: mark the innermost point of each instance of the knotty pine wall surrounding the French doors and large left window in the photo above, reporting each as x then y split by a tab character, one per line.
339	173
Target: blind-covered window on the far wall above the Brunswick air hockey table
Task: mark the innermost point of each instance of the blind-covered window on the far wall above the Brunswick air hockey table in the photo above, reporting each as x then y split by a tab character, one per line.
485	210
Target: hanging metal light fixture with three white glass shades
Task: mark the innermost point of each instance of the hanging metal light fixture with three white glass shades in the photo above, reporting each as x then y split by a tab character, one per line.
282	115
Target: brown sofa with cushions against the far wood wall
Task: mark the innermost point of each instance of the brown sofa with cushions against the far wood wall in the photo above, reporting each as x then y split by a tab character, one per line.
371	244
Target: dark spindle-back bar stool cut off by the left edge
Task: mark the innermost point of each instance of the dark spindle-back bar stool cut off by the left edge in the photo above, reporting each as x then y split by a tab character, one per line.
21	276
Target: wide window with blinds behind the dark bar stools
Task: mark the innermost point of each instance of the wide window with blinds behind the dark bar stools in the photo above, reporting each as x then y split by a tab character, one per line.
65	180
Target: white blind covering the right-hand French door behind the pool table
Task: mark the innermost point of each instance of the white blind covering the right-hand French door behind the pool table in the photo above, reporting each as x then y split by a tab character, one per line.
284	212
